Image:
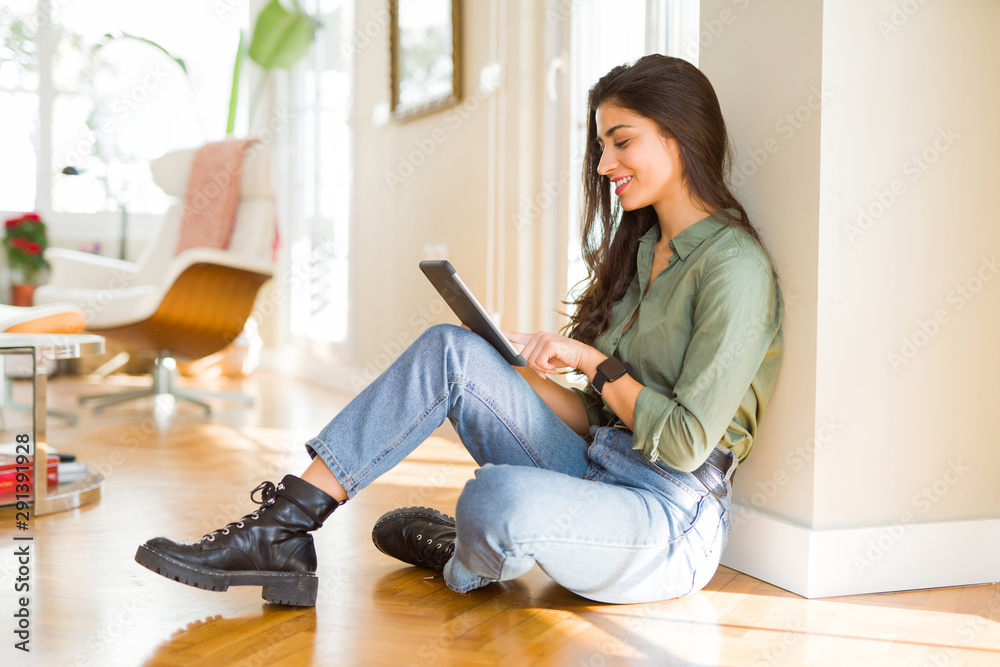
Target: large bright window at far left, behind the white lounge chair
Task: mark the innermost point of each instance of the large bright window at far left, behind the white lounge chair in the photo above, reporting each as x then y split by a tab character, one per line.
70	96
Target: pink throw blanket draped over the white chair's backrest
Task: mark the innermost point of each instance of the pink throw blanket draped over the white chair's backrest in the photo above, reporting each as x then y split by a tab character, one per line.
213	195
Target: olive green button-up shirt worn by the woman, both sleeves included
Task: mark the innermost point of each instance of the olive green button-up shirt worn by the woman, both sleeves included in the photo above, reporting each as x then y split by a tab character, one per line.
706	344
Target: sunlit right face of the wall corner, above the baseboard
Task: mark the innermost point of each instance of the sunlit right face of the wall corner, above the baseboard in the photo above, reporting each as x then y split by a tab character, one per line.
915	106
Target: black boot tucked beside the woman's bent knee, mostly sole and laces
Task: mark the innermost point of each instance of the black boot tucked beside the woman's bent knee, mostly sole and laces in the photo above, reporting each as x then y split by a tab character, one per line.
416	535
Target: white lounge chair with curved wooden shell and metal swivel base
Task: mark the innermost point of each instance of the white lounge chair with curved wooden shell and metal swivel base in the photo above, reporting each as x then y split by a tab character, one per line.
187	305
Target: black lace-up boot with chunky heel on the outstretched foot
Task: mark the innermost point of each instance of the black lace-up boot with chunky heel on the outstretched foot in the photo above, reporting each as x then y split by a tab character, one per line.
270	547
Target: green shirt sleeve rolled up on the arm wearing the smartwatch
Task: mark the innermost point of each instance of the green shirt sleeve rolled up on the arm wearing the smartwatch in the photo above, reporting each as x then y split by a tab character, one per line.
736	316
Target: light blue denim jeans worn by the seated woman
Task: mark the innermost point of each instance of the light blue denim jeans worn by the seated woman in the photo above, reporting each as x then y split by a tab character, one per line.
600	520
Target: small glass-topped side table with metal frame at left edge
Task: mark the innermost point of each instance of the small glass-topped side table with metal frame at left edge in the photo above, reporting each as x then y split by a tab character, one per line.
40	347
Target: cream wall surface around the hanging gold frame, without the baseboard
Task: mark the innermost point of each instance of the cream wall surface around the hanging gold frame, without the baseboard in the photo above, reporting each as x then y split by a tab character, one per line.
448	197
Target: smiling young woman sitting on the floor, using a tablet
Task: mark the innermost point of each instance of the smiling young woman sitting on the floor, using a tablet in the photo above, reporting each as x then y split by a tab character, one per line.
619	492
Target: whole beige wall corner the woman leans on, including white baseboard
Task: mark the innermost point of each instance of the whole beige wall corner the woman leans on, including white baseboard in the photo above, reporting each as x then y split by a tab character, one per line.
871	469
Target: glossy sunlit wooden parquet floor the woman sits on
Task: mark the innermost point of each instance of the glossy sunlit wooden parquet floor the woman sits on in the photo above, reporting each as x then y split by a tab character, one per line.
93	605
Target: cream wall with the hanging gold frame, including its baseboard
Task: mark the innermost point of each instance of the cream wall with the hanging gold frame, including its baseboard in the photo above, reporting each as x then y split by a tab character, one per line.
454	178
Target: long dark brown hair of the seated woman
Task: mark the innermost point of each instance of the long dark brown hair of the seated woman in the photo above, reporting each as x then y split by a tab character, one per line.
676	96
